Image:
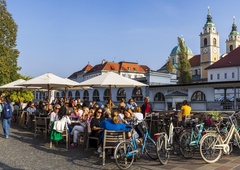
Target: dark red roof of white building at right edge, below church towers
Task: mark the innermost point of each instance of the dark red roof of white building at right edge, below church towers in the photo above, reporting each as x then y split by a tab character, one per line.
230	60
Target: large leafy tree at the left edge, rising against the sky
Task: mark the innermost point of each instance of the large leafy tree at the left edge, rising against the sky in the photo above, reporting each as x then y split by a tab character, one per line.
8	52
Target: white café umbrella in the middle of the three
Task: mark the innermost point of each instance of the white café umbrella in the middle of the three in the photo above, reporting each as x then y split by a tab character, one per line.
48	81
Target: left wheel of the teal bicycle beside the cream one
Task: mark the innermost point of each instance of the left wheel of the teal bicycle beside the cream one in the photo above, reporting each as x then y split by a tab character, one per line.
186	150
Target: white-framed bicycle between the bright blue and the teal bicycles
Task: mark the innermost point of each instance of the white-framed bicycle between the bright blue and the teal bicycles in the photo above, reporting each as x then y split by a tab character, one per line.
167	142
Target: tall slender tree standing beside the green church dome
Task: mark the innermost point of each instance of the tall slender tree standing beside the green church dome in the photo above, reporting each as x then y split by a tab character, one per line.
183	64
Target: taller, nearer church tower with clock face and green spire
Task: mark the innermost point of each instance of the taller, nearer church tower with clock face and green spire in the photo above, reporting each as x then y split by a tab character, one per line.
209	41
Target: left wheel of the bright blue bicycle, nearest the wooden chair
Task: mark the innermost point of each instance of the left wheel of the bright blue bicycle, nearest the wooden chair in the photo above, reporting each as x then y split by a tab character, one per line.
123	158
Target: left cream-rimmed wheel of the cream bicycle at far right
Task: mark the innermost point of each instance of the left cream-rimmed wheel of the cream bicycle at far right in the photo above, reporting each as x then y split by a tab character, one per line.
208	149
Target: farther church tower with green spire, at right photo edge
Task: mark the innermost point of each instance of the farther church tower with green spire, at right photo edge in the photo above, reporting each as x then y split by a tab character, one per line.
233	40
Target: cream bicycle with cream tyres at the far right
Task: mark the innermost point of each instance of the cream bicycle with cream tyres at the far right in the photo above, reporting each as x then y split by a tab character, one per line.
212	144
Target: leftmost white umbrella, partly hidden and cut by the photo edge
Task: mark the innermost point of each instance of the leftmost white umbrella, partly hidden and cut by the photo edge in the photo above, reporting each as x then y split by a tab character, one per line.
14	86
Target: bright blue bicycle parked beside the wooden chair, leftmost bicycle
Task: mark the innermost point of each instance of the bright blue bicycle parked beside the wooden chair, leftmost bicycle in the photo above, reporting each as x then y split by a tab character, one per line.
127	150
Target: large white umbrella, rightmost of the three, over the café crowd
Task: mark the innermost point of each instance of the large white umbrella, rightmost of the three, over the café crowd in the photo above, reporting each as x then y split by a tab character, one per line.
111	79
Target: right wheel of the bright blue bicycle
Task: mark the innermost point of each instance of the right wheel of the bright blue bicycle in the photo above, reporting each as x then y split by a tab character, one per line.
150	148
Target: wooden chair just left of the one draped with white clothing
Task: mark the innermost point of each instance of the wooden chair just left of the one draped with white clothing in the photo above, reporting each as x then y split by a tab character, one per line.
40	125
